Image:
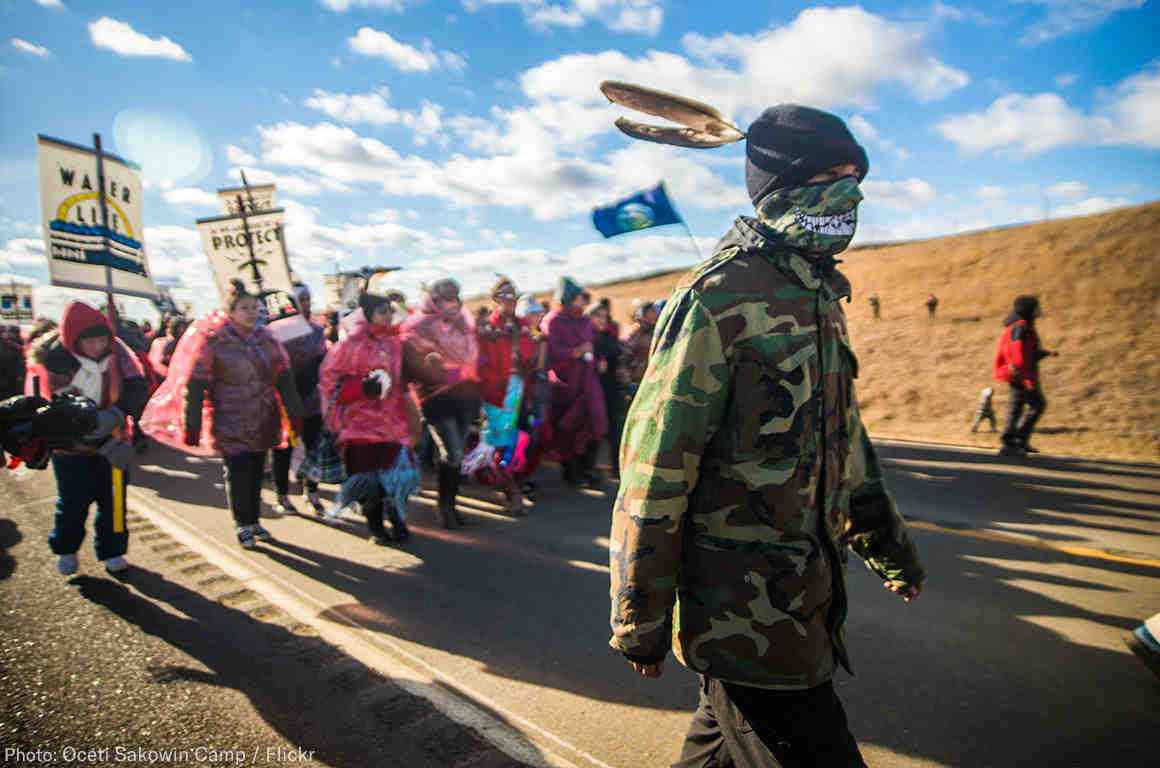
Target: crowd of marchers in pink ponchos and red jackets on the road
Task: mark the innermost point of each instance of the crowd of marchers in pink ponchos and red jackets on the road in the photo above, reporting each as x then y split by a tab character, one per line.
371	400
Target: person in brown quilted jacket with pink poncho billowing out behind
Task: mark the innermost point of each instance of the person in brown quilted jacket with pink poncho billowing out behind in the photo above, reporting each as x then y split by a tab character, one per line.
244	373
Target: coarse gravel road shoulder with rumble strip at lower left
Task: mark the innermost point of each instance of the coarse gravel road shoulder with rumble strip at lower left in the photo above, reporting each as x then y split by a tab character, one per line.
177	663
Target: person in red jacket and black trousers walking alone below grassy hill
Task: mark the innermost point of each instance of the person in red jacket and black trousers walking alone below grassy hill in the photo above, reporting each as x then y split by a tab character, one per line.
1017	364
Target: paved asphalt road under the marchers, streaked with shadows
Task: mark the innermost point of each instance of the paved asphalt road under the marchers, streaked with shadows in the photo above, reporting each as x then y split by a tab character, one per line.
1012	657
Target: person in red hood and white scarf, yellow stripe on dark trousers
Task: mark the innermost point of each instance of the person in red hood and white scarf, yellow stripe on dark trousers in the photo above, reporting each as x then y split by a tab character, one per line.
85	358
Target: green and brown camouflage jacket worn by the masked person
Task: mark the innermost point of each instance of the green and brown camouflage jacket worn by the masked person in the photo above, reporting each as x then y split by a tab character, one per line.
745	474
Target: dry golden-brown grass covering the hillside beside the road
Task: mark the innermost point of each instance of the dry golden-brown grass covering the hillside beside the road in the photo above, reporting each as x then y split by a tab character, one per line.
1099	282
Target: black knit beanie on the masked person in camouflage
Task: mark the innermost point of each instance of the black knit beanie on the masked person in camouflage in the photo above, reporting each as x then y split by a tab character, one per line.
788	144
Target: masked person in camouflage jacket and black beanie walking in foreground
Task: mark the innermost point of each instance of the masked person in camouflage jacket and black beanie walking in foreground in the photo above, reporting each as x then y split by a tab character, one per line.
746	470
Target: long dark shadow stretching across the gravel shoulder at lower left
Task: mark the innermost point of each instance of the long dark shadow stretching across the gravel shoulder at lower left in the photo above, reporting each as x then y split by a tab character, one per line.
289	679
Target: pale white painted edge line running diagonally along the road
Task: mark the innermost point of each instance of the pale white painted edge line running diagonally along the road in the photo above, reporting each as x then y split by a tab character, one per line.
367	647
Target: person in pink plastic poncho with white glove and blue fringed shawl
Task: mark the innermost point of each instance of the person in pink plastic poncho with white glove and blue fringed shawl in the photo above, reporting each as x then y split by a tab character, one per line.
367	408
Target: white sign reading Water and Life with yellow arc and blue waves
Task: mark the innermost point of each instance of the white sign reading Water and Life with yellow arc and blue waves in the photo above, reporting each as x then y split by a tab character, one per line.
82	252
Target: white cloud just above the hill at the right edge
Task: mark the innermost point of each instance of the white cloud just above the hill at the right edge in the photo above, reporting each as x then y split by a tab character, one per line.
1126	115
